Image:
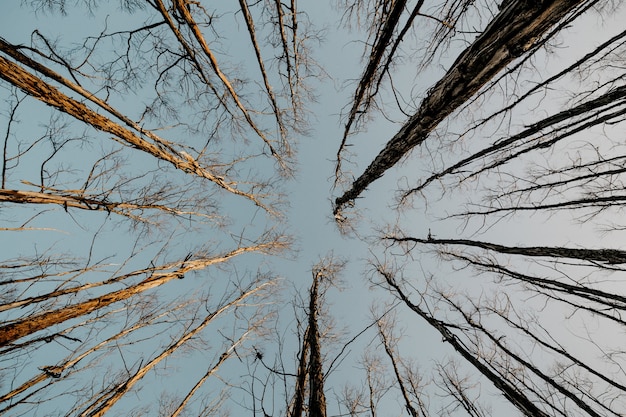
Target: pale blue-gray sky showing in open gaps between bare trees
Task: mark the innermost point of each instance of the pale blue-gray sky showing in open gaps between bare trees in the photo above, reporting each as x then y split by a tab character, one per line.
309	215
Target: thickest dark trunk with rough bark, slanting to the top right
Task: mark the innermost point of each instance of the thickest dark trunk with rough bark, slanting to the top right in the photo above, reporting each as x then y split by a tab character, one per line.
518	26
